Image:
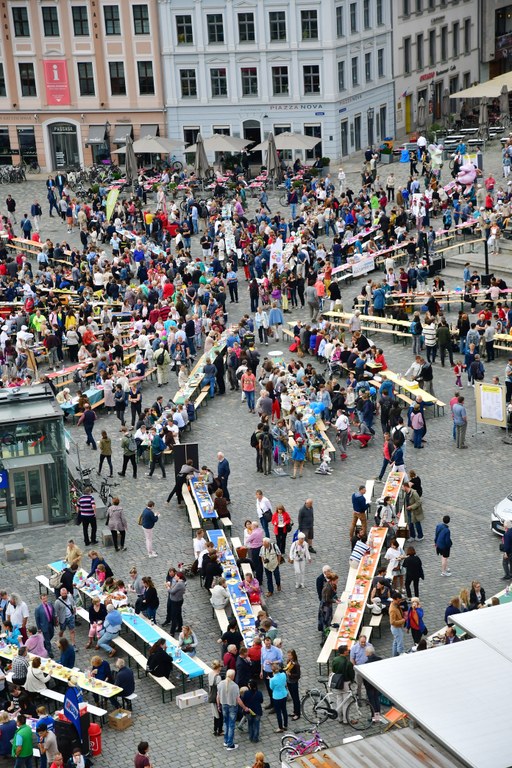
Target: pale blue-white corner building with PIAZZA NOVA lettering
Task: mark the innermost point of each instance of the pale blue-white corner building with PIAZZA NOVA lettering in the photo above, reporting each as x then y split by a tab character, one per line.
248	67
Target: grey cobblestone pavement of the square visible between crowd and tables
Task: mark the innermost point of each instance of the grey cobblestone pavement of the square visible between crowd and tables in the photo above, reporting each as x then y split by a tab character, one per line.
464	485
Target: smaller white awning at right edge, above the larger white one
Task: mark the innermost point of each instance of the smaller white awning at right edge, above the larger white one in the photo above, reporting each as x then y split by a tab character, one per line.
491	625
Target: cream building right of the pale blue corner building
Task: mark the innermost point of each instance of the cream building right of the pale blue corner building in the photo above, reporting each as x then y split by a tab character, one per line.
435	49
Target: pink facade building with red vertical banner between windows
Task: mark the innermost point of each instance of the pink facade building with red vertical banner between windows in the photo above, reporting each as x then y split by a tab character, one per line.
77	77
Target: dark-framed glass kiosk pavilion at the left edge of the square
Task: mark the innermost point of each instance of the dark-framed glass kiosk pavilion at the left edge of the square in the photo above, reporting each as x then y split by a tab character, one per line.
33	467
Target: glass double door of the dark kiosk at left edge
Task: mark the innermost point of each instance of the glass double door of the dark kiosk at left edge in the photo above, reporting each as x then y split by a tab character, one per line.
28	497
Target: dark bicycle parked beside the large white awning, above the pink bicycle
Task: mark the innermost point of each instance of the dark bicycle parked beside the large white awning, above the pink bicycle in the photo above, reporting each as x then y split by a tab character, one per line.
317	707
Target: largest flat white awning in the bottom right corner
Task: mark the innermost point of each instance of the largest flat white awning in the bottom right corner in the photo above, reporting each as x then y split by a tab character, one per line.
458	693
